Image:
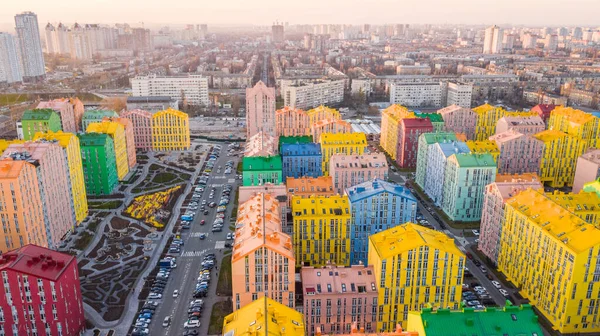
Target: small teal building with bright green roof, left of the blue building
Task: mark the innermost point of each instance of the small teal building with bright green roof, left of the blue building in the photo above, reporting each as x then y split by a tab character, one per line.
258	170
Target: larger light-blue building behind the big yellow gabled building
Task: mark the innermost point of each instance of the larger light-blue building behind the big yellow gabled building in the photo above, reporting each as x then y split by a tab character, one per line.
376	206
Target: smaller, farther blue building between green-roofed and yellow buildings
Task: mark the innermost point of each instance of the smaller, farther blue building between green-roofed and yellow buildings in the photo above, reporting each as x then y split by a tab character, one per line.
301	159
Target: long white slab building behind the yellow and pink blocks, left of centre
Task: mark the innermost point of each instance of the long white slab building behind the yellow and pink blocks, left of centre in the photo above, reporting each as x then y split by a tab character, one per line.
192	89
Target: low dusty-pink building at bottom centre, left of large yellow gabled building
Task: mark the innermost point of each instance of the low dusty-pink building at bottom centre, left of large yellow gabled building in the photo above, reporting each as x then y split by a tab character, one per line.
336	297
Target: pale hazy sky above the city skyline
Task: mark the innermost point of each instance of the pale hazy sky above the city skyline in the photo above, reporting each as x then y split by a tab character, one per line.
264	12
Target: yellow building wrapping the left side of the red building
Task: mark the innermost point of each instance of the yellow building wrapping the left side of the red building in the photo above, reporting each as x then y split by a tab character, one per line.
390	121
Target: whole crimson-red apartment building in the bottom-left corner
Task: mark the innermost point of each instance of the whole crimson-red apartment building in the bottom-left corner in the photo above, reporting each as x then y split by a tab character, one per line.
42	295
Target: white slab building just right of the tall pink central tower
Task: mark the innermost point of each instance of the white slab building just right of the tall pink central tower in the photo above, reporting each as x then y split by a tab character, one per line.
313	94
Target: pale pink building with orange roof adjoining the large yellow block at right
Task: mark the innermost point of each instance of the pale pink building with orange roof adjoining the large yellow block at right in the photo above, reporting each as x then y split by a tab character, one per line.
495	196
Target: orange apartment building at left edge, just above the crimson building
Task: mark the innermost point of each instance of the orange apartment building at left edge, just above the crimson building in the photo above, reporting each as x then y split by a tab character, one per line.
24	212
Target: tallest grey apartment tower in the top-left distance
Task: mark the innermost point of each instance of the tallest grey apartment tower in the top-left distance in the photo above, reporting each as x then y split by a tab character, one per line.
30	46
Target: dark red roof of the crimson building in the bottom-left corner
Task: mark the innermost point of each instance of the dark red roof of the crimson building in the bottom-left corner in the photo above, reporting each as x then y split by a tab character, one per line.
36	261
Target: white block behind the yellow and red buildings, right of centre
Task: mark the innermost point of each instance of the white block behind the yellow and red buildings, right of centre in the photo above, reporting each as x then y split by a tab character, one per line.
417	94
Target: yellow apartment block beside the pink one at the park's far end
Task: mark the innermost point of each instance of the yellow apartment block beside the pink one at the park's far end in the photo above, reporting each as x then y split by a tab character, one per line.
170	130
